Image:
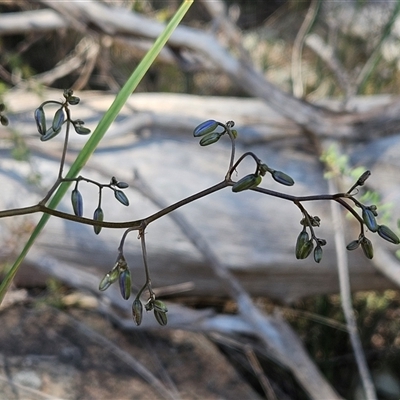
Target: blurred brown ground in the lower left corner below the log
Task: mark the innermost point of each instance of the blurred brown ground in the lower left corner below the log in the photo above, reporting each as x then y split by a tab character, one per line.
75	354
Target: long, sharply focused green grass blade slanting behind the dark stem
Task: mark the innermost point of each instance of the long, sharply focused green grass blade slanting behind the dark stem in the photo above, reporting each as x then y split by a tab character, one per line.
97	135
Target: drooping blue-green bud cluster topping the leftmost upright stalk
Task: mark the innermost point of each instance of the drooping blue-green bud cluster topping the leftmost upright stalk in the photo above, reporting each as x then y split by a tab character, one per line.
61	116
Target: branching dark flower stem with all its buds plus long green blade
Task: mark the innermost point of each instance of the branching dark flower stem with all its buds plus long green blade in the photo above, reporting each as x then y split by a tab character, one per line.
49	125
